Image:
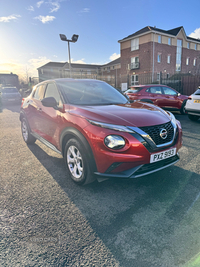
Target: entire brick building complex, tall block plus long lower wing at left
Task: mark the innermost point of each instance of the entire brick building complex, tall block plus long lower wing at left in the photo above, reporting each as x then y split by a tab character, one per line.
147	56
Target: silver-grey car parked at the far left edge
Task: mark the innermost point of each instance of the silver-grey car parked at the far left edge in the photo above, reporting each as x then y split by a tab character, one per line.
10	95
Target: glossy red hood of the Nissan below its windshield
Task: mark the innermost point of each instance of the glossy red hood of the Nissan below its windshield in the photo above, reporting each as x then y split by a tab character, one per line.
137	114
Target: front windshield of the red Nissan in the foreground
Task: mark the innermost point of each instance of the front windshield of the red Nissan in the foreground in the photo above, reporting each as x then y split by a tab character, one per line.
90	93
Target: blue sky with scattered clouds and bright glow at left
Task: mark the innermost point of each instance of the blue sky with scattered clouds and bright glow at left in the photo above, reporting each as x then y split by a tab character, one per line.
29	29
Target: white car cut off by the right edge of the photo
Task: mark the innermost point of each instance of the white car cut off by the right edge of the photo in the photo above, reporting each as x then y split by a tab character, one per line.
193	105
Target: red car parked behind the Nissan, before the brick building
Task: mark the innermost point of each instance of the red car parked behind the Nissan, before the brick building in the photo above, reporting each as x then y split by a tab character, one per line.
160	95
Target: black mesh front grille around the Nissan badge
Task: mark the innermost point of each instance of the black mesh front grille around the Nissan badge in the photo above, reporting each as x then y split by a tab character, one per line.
154	132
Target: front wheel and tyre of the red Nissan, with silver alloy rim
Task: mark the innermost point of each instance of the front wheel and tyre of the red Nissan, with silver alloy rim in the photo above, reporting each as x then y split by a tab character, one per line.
78	167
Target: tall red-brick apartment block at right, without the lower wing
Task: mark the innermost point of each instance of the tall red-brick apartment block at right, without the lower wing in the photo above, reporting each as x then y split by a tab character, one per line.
151	51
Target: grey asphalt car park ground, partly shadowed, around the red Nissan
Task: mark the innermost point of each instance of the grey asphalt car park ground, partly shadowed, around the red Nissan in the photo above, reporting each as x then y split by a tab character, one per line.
47	220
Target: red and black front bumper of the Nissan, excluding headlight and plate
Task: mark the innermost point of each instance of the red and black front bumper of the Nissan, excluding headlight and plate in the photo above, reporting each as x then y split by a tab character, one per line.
134	159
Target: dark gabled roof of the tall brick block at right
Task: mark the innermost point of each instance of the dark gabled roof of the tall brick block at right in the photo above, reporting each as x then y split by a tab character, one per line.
146	29
